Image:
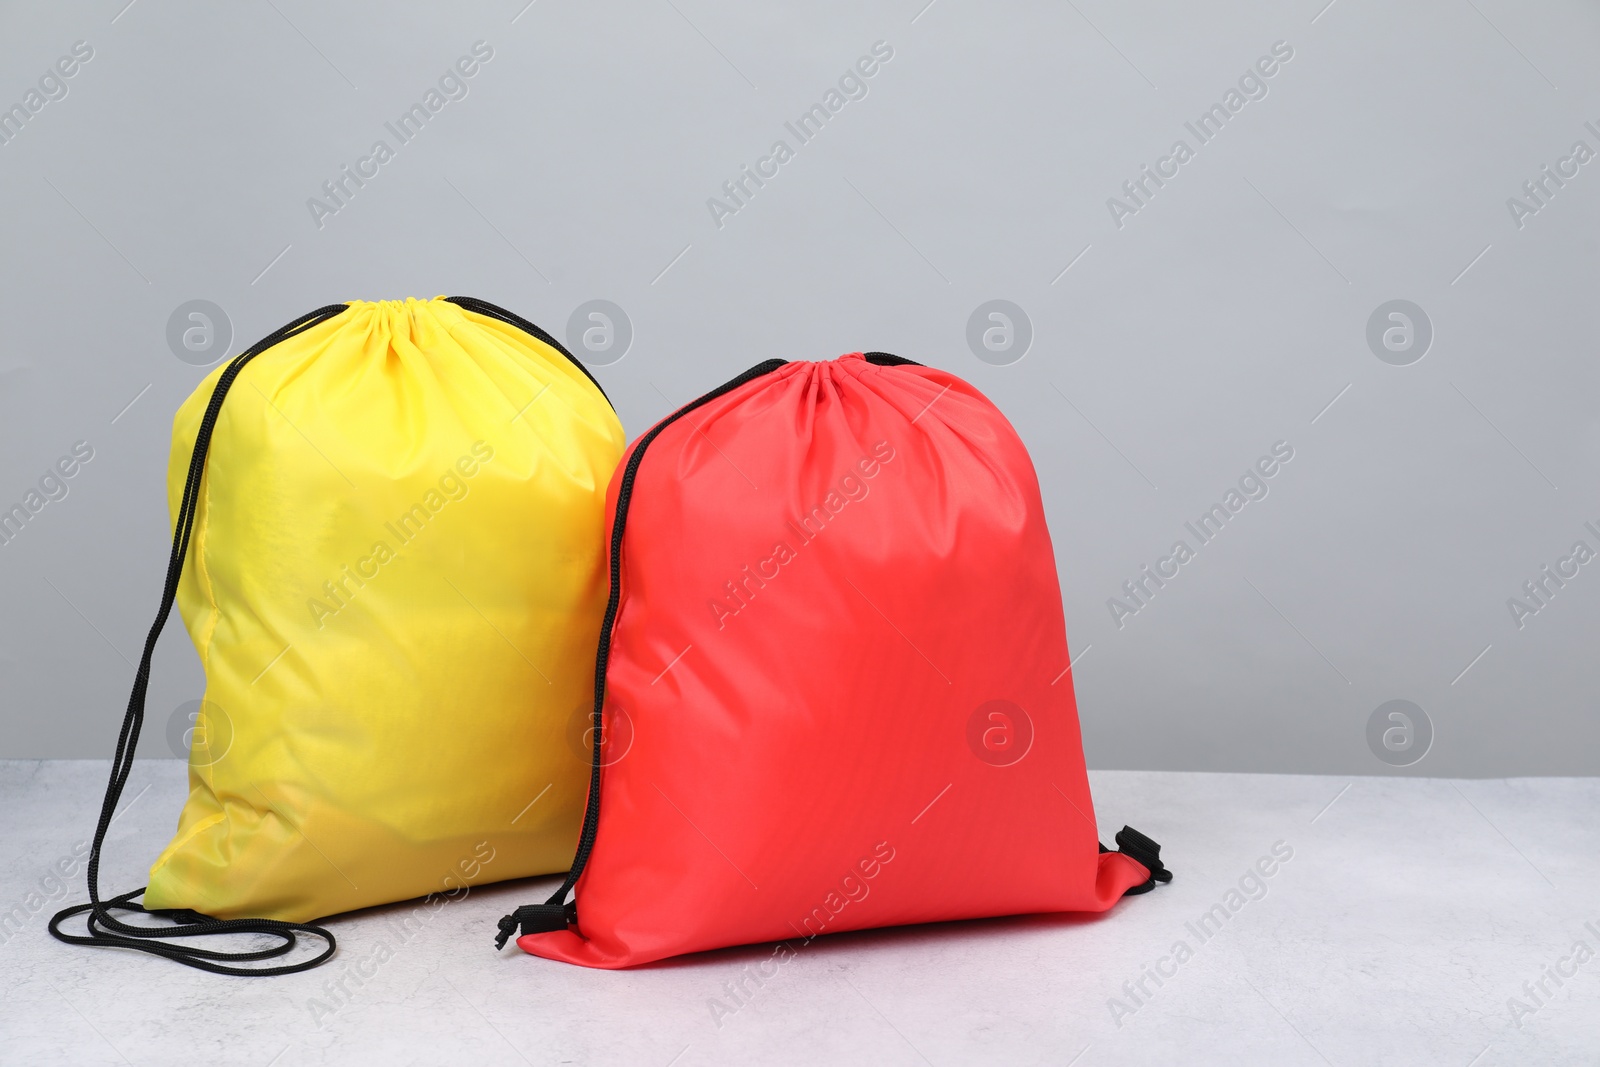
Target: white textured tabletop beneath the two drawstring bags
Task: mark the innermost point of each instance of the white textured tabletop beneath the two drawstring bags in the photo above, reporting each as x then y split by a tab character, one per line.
1409	919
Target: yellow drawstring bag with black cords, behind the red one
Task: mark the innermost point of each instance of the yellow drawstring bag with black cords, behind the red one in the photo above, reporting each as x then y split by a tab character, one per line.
390	556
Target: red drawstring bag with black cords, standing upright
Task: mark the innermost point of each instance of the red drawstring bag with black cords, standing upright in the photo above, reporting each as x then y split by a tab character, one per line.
833	687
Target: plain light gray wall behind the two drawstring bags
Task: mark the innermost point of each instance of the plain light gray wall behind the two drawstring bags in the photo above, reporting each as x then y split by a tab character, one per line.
1167	353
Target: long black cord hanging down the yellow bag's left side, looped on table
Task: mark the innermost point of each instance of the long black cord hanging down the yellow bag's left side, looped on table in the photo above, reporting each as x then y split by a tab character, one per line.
103	927
